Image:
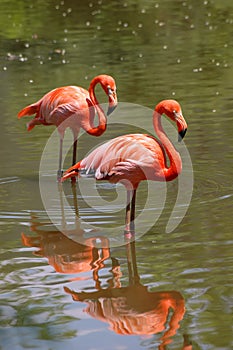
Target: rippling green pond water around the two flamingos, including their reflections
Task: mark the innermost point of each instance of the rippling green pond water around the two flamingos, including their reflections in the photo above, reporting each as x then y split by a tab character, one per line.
128	295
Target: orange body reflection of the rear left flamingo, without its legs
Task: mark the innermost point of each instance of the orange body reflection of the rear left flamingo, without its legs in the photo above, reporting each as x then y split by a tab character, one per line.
64	254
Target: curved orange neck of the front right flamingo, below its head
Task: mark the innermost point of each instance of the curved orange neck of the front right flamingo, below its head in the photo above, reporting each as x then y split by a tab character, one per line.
175	166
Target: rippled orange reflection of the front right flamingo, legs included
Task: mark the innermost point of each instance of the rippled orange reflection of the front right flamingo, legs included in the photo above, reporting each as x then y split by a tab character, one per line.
133	309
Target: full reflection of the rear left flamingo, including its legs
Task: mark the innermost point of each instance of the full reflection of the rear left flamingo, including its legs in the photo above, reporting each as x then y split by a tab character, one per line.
64	254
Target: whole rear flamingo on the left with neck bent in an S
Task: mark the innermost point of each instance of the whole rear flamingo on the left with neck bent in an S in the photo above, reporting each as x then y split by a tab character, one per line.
74	107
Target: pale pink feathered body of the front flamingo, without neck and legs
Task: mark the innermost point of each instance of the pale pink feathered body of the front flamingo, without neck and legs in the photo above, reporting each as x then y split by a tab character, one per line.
128	159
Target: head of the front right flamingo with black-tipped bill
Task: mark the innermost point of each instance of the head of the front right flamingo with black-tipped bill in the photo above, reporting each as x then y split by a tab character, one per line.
173	110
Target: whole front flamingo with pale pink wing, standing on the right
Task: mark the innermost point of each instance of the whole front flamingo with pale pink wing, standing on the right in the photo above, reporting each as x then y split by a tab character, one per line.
132	158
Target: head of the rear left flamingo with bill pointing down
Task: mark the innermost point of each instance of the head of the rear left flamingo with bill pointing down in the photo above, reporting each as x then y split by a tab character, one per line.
109	86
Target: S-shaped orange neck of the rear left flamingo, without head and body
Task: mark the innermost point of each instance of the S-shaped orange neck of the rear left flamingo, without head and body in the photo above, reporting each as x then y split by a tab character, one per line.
97	131
